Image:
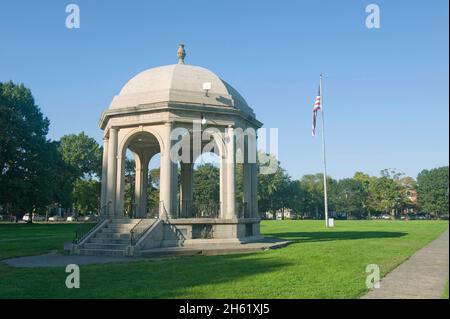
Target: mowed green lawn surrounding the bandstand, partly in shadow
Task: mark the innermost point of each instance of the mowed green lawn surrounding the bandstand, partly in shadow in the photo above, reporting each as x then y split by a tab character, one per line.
321	263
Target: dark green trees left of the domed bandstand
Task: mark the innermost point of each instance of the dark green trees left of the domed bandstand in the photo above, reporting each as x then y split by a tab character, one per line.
38	174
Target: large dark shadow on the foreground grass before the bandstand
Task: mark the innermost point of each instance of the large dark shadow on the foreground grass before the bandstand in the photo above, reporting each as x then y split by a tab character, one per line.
198	277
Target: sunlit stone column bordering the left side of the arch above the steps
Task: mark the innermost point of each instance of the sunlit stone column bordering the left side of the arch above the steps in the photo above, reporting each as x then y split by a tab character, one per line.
111	172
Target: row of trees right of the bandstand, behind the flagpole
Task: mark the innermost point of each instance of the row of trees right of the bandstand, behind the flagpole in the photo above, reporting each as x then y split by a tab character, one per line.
361	196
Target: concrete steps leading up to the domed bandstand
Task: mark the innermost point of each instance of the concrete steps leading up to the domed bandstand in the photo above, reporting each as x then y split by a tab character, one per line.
113	239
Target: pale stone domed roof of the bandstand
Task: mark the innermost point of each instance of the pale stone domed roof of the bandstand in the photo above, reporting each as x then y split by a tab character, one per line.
179	83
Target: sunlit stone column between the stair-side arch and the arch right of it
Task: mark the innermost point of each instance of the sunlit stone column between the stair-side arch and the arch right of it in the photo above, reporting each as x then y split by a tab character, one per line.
168	183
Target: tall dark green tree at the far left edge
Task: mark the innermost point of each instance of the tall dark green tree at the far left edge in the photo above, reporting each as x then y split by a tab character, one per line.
26	156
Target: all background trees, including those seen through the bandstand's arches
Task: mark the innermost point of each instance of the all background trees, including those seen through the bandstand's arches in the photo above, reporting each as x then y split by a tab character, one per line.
40	175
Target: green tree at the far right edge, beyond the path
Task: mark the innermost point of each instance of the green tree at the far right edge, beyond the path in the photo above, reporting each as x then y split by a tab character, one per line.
432	191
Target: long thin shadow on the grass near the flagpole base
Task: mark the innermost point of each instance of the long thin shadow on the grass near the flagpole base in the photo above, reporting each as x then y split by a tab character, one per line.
305	237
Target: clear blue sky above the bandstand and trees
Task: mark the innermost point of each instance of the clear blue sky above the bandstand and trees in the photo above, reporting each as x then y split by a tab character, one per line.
385	91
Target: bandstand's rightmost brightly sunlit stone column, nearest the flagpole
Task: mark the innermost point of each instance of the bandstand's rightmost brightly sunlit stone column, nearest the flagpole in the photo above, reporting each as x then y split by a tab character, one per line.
230	165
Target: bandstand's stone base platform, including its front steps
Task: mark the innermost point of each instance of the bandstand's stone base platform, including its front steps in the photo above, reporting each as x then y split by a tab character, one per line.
174	237
